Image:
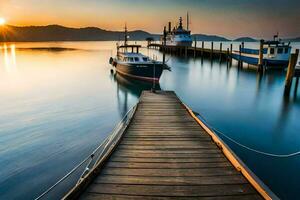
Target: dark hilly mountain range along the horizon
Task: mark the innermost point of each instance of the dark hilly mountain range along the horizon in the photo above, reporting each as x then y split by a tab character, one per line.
61	33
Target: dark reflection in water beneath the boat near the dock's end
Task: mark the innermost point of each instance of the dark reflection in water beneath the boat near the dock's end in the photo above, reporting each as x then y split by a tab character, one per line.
128	88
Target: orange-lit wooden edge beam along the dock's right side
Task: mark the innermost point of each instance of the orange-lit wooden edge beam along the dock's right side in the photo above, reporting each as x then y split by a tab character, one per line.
263	190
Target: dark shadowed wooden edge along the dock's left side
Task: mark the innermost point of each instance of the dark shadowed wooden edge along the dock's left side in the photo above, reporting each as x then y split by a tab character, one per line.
77	190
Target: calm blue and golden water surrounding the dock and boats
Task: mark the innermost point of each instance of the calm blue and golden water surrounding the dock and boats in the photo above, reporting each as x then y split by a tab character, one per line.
58	104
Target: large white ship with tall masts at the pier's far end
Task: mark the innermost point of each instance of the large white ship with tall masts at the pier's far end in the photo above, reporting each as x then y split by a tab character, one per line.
179	36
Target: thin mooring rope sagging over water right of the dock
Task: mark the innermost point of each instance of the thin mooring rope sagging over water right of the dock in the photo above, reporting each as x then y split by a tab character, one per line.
244	146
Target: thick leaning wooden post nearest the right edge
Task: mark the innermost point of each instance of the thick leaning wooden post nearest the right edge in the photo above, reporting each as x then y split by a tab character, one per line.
290	73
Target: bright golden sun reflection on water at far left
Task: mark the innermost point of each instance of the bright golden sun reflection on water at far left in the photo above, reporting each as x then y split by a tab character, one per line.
9	57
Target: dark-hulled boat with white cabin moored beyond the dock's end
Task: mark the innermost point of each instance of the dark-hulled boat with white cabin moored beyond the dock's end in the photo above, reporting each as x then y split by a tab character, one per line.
131	63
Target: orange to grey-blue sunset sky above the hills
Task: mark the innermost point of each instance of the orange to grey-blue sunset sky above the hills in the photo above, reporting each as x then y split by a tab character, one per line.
229	18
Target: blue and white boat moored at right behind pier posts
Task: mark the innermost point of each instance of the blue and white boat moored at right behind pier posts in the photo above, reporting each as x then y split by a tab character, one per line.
275	54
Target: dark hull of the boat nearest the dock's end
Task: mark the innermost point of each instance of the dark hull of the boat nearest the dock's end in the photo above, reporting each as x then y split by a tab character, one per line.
145	72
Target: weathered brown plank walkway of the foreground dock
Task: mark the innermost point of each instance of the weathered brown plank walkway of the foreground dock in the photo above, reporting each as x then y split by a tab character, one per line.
165	154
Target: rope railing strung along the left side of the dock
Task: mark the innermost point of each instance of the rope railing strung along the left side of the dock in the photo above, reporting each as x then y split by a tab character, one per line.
81	170
